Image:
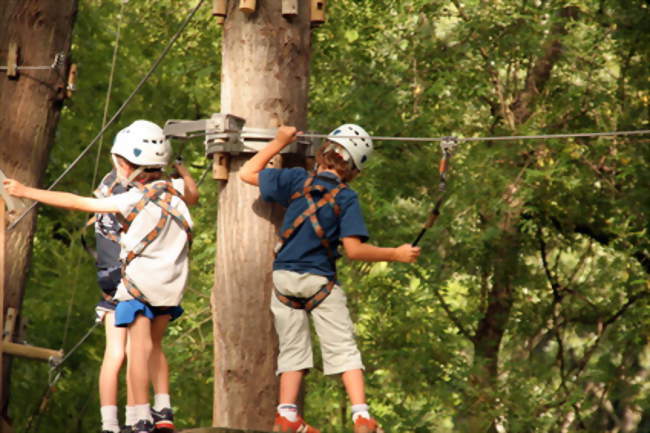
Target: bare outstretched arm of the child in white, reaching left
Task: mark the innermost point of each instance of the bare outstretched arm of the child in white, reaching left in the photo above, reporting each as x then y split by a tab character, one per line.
64	200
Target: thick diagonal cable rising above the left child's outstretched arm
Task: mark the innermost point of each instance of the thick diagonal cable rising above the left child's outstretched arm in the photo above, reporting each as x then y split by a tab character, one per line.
117	113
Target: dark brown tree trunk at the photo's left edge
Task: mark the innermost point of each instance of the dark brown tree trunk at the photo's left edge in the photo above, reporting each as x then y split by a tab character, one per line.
31	105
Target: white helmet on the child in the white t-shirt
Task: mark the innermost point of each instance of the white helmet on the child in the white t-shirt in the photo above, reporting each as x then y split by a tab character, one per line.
142	143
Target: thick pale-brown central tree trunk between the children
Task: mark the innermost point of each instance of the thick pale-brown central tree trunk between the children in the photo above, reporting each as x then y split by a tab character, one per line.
265	80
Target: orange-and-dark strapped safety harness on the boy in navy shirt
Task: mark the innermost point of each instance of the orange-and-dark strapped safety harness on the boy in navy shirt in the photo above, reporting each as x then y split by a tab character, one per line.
328	198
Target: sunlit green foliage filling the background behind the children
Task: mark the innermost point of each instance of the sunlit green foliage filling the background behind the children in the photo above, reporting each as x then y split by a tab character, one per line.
552	232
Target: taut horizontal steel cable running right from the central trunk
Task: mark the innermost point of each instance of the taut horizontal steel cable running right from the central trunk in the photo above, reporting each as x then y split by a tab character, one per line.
498	138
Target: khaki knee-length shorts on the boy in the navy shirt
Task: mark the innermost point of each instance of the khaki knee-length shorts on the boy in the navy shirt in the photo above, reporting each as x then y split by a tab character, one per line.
331	320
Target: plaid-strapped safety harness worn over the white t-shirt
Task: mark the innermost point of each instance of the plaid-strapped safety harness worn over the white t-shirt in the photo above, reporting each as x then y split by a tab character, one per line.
160	194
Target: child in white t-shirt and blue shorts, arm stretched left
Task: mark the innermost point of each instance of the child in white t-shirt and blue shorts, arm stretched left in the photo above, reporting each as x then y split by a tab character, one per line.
155	247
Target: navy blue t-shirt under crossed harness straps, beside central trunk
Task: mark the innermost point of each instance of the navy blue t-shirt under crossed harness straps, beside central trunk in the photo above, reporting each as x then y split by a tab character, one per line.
303	252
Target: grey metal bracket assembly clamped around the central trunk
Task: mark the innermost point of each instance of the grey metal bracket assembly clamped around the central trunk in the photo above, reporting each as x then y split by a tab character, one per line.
226	133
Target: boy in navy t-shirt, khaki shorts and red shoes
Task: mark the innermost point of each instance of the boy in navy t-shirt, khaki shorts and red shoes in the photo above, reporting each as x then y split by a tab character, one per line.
322	212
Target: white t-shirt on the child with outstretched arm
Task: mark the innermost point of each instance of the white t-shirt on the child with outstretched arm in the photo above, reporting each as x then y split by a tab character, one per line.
161	270
